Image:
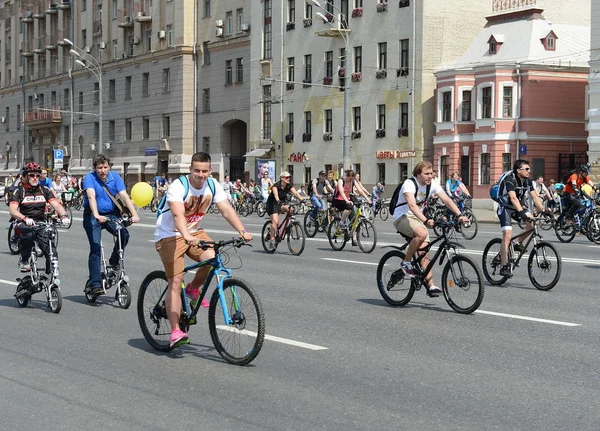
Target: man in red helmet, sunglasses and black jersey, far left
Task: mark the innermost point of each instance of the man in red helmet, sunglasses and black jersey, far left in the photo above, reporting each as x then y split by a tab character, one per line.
28	204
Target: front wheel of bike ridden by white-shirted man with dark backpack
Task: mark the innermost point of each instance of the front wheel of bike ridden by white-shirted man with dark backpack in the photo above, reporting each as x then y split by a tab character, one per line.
462	284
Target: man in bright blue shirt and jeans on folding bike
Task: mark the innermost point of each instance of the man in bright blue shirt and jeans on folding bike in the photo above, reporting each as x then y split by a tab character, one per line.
100	212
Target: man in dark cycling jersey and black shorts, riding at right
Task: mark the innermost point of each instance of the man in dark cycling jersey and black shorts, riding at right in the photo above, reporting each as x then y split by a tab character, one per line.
514	190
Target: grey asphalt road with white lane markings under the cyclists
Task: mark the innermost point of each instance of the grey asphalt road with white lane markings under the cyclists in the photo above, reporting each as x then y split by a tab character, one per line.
527	360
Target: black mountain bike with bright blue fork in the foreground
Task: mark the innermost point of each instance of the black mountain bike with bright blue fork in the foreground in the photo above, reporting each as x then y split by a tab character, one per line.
243	324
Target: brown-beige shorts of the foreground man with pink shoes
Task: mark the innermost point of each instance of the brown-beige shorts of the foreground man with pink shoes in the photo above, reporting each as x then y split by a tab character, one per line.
172	252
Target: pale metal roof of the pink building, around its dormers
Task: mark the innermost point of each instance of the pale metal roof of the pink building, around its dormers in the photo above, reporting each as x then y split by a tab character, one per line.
521	42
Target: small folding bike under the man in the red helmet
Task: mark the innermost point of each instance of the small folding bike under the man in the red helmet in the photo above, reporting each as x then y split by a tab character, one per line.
38	281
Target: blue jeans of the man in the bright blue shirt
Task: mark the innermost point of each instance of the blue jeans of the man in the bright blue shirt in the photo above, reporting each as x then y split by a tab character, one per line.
93	229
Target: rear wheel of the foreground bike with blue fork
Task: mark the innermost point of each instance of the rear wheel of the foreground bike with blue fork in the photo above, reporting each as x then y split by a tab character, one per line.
152	312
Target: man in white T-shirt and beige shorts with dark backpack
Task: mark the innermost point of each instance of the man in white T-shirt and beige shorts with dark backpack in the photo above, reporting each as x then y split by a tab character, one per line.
410	221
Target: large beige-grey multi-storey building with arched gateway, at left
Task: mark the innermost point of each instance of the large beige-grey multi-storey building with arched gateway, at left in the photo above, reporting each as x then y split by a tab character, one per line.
155	59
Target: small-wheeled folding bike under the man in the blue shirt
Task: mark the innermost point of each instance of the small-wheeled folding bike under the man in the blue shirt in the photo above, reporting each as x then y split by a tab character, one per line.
112	277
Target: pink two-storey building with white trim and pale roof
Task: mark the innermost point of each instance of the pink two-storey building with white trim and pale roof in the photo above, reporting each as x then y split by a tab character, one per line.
519	91
